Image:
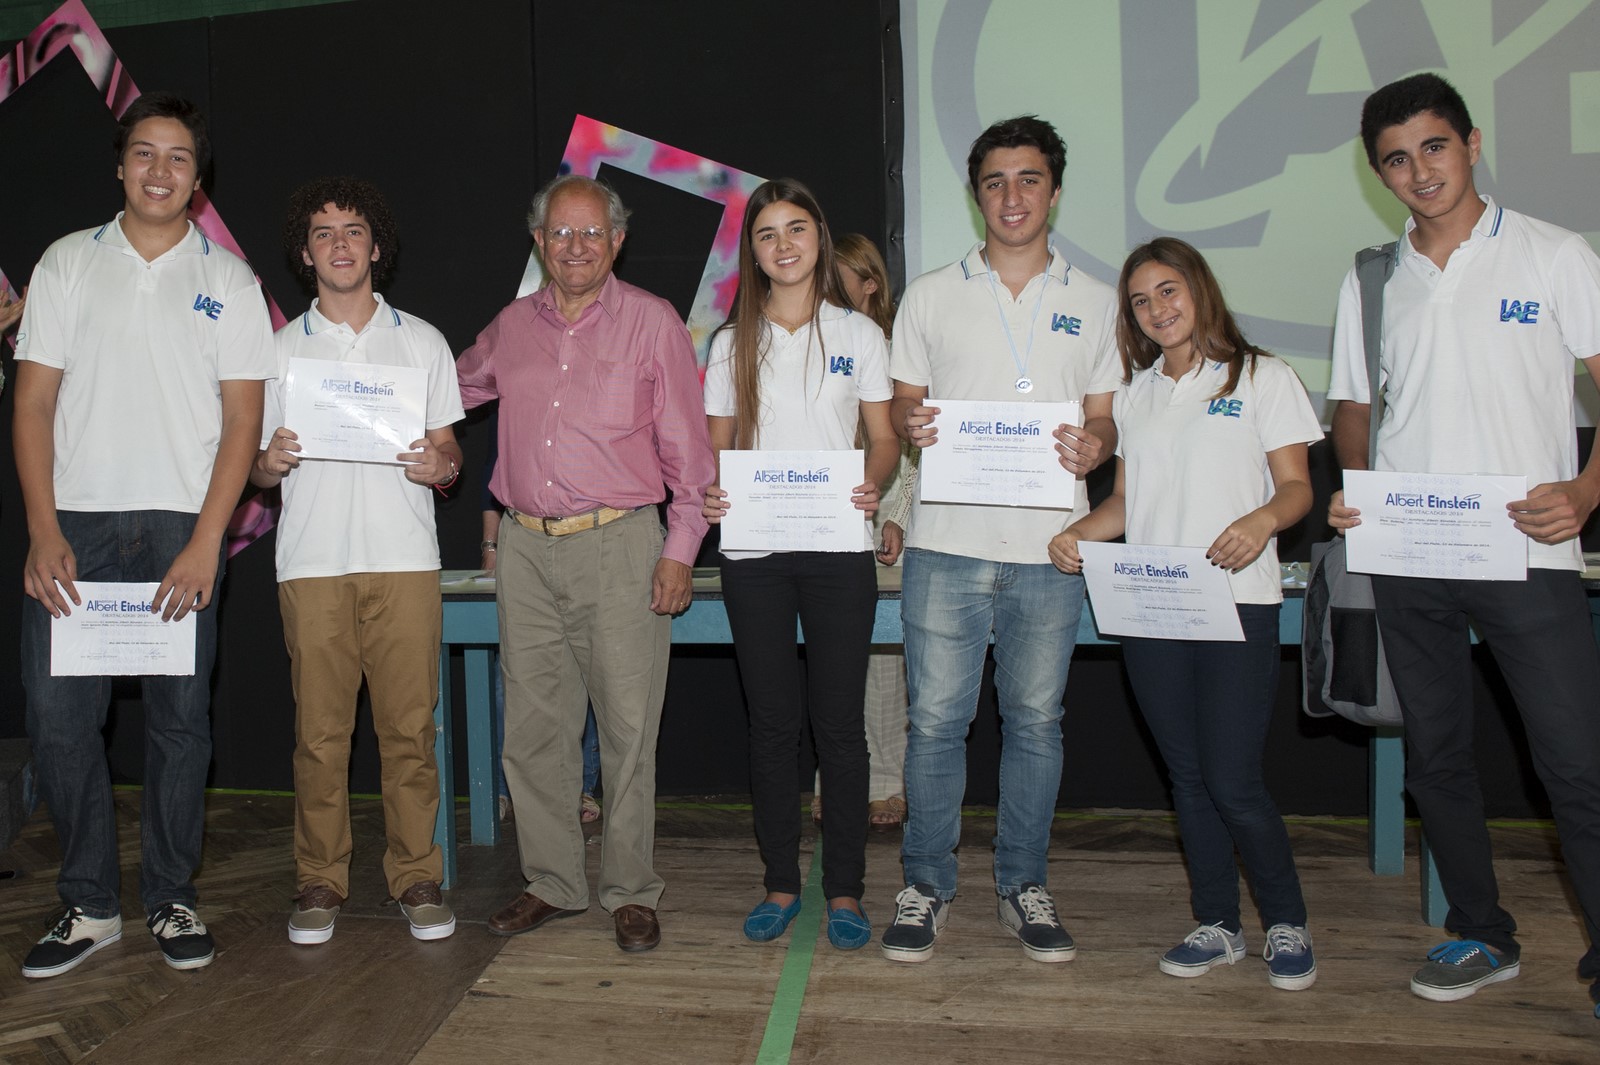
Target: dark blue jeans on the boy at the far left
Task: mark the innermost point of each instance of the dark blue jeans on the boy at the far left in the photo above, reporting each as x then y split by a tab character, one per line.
68	714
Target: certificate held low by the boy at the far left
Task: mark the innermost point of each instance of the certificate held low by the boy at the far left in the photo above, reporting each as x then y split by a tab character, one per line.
114	634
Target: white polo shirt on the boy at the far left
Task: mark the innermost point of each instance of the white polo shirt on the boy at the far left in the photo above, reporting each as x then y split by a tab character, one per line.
142	349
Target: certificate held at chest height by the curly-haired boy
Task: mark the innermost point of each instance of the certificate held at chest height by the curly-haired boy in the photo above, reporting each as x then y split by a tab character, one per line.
354	412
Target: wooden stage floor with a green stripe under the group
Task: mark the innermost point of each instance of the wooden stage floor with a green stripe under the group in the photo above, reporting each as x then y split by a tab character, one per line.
566	994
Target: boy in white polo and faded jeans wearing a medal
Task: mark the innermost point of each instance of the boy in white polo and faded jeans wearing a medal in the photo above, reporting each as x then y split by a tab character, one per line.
1014	322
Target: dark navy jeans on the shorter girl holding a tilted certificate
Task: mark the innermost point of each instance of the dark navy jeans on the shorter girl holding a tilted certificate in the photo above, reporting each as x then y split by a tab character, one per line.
1209	704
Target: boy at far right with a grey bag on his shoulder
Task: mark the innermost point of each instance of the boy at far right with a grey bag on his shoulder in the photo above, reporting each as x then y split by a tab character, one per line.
1484	316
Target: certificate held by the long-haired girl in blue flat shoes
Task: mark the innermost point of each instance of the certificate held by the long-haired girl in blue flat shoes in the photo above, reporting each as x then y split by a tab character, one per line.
793	501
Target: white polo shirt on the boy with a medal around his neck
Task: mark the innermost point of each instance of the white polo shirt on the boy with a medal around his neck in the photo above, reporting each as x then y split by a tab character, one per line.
950	338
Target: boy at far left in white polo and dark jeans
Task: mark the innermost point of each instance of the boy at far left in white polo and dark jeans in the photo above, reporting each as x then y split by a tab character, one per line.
138	409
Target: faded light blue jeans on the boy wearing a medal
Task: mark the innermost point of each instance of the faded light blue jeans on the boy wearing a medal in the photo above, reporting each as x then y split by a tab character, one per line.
950	607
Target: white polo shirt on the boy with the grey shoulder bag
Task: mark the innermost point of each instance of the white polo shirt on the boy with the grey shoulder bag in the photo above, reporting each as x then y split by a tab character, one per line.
1478	359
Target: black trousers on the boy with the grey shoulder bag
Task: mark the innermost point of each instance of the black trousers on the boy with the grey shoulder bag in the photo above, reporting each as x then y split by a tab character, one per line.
1543	642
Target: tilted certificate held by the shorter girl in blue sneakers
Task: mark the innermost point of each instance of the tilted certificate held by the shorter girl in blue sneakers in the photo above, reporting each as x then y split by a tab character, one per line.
1159	592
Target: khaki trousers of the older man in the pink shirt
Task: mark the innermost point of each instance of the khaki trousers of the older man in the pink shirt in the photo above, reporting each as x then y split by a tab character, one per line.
575	628
